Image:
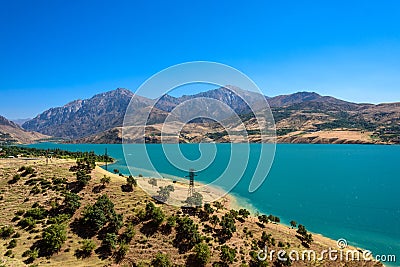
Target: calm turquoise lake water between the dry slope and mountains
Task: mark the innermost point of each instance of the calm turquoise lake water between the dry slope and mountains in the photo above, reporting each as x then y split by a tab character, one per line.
340	191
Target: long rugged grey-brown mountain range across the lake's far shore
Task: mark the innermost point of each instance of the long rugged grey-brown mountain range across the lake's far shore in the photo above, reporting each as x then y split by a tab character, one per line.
303	117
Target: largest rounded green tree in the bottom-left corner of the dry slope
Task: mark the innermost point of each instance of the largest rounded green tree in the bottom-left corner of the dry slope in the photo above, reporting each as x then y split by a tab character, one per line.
53	237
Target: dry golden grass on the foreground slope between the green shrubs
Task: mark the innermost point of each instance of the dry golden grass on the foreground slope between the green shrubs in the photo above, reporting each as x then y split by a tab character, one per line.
143	247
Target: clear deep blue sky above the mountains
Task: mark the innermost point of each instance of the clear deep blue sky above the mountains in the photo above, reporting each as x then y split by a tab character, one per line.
52	52
